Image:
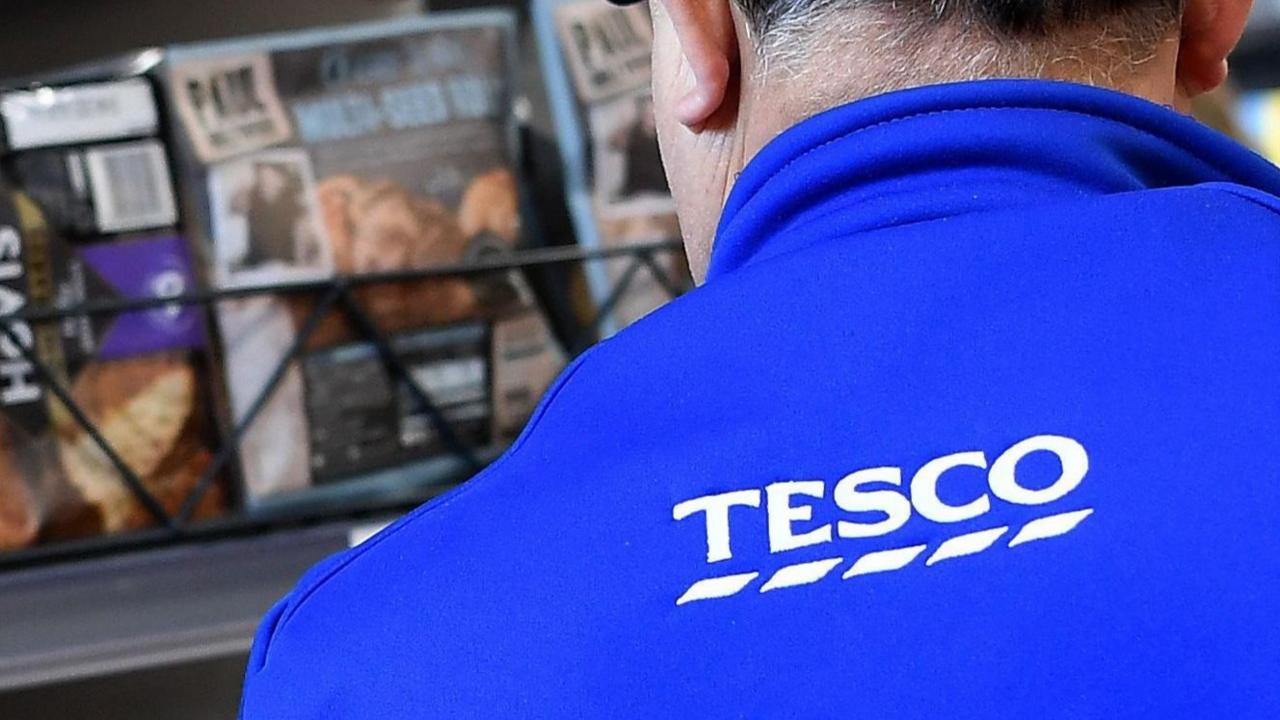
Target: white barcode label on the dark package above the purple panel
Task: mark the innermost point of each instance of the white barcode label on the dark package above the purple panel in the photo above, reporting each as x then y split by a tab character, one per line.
131	186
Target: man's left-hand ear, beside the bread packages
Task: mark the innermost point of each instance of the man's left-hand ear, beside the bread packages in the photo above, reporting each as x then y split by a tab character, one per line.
708	44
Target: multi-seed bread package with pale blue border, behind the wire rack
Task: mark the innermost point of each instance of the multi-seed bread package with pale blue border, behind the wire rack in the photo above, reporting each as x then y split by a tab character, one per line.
348	153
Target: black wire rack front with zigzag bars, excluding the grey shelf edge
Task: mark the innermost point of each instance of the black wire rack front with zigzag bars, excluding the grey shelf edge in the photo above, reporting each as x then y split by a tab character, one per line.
403	486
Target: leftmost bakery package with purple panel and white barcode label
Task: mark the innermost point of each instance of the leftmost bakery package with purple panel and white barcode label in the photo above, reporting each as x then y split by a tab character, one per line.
92	215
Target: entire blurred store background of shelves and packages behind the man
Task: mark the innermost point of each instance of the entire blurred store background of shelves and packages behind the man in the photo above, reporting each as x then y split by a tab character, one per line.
374	226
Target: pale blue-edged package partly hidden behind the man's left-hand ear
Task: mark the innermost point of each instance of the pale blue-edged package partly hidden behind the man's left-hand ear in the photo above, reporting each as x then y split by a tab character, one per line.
596	65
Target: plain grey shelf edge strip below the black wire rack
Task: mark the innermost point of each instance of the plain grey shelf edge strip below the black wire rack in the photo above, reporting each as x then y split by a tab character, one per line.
150	609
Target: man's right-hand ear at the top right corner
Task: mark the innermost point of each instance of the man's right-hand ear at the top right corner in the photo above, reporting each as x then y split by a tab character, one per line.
1210	31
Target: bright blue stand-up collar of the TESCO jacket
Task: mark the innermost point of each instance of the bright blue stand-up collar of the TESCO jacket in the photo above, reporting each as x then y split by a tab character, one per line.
947	151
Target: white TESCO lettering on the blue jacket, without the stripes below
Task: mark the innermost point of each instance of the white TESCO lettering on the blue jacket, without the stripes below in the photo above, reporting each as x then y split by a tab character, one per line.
852	495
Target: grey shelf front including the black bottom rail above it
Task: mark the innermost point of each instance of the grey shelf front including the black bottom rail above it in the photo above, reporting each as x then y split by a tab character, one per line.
200	599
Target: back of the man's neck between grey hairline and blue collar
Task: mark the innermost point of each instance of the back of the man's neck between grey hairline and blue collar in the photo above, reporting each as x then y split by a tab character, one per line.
778	90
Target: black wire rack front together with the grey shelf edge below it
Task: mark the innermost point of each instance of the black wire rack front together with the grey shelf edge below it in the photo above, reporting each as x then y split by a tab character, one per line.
189	591
